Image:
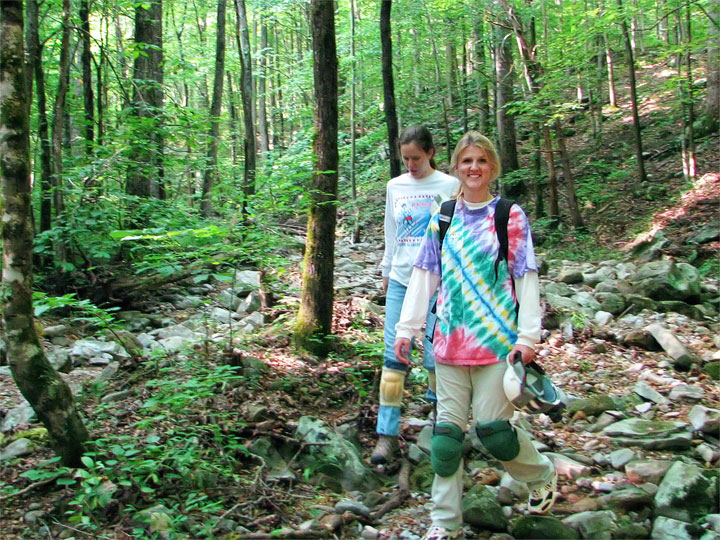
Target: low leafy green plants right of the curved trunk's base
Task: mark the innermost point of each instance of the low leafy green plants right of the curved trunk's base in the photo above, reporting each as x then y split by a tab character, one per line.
177	445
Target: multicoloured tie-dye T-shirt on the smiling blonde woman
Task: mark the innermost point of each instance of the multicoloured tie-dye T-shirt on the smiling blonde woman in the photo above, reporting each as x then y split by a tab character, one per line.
476	312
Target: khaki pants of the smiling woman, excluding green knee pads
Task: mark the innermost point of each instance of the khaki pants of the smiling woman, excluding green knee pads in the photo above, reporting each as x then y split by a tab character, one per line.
458	389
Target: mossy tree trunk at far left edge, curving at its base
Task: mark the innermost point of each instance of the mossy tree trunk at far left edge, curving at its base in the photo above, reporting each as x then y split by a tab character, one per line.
39	383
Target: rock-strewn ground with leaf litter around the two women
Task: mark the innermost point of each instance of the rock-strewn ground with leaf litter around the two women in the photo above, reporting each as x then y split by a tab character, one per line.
635	342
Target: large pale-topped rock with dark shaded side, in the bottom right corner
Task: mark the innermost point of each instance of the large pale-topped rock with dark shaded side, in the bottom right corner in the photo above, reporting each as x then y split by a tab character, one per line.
685	493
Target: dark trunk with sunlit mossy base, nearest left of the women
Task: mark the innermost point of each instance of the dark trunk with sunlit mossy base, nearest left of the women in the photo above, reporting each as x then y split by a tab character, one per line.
314	320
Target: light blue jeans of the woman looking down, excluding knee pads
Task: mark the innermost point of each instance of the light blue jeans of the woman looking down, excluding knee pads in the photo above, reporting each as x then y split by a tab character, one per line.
388	422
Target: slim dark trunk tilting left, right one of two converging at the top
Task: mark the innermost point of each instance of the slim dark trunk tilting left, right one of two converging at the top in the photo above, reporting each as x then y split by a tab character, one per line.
243	37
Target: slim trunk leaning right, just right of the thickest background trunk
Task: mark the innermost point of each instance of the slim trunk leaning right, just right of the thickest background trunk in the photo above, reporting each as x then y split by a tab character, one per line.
211	169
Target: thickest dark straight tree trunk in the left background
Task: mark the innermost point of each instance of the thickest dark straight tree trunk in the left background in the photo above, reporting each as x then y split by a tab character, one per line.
145	172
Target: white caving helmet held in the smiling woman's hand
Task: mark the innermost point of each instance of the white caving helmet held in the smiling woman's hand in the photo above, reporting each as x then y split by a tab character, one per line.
527	387
